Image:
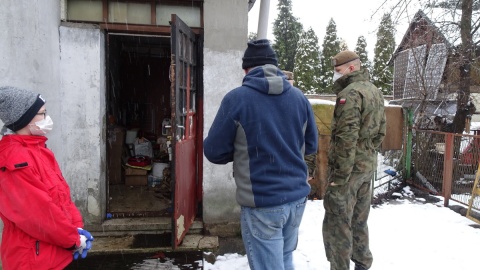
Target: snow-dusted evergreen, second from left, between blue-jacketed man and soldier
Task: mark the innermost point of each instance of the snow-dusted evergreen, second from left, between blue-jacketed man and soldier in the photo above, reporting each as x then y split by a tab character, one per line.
307	63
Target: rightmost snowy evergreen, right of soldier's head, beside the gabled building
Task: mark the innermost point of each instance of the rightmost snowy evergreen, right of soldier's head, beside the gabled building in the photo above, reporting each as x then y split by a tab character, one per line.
382	75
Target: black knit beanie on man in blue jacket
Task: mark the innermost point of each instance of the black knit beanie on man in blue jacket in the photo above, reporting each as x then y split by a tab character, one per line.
259	53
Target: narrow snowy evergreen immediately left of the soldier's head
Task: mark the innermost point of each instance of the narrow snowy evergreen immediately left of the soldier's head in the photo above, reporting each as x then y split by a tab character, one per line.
330	47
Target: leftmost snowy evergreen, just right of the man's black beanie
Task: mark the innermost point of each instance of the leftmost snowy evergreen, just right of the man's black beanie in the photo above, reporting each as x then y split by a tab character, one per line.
286	30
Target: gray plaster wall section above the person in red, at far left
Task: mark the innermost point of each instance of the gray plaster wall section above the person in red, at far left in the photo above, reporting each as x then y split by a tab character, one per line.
29	54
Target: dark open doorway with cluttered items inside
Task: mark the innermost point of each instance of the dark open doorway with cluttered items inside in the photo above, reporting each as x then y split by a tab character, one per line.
139	129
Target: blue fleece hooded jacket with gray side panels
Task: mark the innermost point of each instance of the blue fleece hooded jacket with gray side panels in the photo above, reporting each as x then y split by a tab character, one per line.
270	125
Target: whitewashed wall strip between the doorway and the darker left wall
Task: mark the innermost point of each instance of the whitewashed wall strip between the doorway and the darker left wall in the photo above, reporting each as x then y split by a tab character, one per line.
82	92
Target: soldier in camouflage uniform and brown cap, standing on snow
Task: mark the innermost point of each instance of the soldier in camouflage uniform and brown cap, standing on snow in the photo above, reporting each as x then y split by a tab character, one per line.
358	129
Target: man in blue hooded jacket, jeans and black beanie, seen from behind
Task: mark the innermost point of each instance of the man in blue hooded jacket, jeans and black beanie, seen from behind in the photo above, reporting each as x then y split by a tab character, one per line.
266	127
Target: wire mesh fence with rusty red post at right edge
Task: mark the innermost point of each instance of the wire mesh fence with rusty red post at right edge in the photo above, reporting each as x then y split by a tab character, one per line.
445	164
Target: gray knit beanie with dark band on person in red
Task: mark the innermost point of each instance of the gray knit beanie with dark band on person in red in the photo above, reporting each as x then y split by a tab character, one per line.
18	106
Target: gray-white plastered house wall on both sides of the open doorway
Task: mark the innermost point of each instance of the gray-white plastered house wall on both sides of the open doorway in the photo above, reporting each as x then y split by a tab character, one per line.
66	64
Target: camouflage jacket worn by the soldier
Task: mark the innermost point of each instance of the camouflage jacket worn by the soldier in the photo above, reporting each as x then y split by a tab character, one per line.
358	126
